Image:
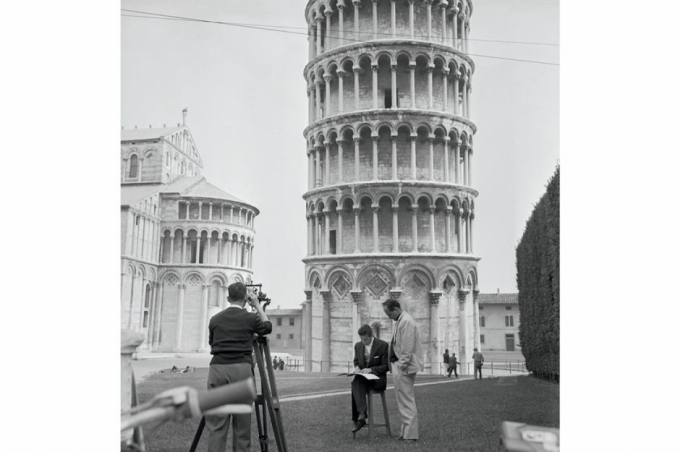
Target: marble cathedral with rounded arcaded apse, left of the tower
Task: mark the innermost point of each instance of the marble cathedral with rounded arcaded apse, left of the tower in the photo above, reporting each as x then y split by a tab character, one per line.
183	240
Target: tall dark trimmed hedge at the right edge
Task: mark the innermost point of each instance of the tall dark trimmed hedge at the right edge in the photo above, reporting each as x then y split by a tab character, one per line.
538	282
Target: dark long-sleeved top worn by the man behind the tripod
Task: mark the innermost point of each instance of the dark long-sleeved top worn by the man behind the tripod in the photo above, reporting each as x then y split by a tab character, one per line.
231	335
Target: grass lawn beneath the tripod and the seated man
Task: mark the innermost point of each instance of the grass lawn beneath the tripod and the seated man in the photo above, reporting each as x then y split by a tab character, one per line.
462	415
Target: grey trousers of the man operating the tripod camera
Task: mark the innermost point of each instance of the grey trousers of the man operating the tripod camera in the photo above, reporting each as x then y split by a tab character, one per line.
218	426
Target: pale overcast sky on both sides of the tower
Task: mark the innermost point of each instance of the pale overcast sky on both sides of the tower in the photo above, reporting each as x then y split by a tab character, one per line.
248	107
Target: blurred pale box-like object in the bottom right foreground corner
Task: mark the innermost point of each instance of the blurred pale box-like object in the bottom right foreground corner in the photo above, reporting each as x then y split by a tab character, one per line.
517	437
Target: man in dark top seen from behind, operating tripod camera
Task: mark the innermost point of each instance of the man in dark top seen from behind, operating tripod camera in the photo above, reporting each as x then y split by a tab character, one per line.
231	341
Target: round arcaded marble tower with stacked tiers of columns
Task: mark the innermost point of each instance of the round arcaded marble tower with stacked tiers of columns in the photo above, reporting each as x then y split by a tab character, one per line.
390	202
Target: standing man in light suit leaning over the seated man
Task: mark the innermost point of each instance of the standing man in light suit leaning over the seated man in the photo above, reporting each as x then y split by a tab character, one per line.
405	361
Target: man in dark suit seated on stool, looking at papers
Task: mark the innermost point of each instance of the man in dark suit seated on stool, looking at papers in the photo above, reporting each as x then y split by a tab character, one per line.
370	357
